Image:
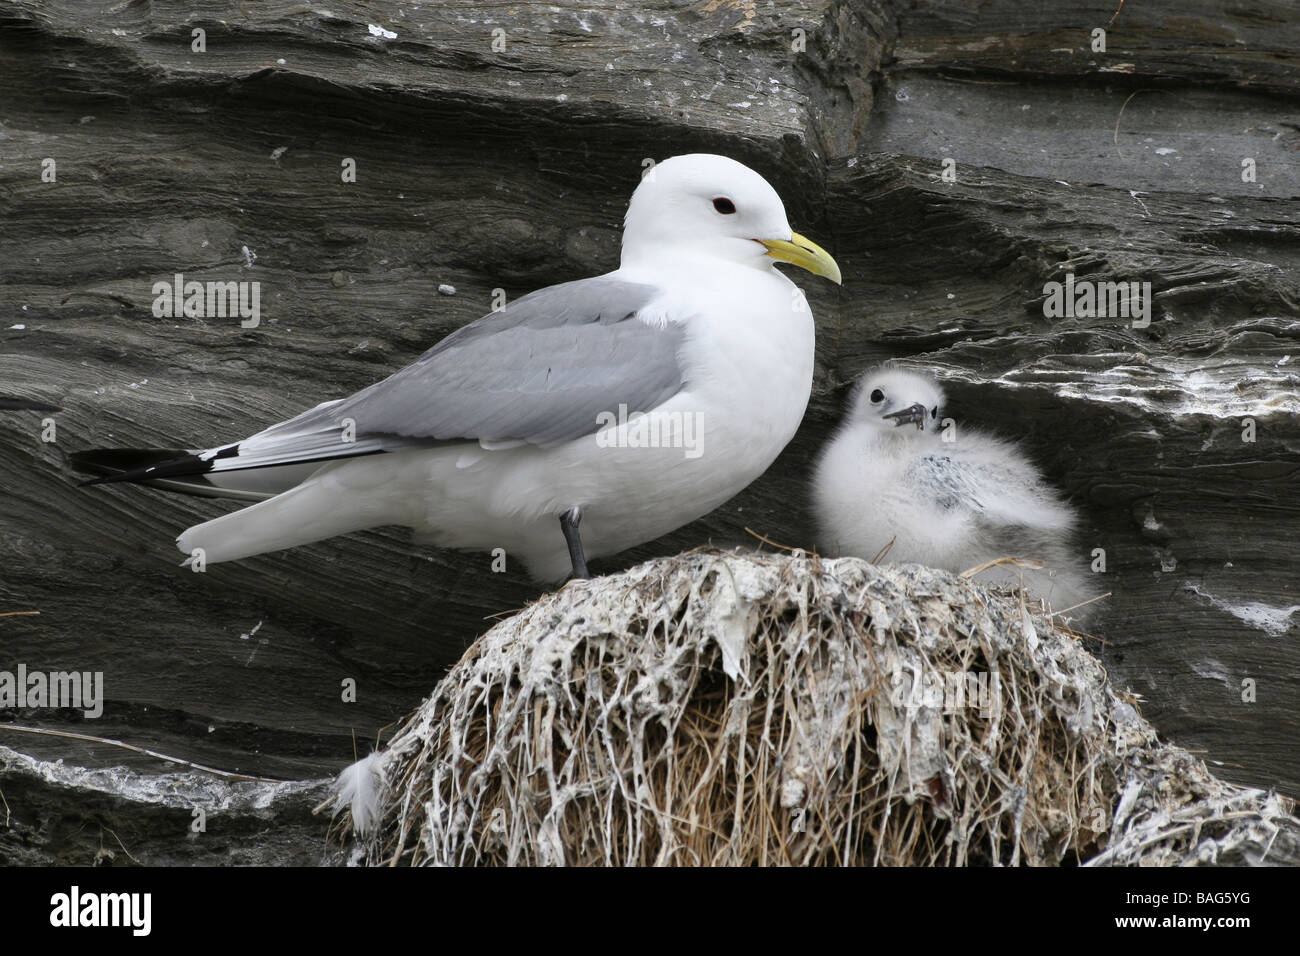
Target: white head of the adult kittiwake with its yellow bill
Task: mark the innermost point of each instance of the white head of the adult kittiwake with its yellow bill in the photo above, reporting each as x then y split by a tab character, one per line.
716	207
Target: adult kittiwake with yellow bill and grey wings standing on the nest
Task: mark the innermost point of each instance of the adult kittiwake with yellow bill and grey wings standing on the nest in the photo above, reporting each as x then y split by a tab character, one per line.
632	403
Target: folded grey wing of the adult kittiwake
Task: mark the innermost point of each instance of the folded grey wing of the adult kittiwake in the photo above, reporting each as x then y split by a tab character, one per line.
538	373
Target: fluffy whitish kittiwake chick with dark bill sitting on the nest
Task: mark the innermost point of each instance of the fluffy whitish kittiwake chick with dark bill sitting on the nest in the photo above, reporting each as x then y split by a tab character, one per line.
944	495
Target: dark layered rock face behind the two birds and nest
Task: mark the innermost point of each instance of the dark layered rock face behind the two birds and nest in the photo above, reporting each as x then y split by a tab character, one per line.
382	170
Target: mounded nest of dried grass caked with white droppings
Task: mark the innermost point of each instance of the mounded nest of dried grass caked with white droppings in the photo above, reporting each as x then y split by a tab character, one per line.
739	710
